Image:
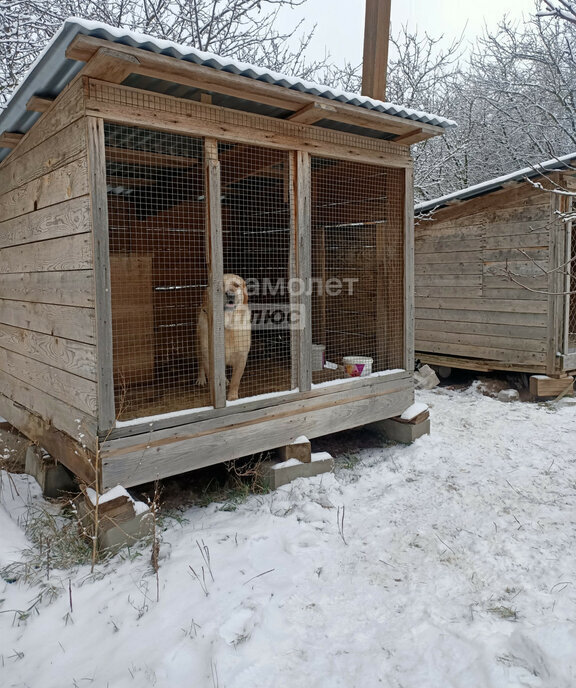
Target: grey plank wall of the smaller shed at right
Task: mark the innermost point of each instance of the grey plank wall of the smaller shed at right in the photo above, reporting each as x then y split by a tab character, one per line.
480	292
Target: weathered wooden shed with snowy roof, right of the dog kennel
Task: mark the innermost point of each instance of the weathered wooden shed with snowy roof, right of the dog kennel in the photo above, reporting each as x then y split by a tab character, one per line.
494	274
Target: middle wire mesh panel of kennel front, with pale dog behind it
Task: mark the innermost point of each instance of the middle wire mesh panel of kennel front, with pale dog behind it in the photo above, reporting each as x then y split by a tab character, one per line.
256	225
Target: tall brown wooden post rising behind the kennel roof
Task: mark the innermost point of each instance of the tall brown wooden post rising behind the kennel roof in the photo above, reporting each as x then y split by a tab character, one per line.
375	60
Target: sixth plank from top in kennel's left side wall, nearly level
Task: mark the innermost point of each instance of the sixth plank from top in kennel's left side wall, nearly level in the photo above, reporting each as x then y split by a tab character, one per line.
74	288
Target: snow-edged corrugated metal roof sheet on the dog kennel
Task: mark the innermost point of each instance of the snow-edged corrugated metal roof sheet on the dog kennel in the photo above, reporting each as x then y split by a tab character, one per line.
52	71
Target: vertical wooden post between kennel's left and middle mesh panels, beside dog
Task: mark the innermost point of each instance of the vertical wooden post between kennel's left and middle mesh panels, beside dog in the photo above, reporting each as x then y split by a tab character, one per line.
215	273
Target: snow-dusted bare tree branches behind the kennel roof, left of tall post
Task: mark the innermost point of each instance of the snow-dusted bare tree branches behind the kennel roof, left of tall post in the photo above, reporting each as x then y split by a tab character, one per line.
244	29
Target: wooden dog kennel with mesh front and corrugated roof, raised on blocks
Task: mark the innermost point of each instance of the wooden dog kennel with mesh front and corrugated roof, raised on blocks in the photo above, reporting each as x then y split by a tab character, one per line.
136	174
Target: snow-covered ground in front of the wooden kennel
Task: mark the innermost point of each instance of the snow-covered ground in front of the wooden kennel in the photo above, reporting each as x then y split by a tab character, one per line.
453	567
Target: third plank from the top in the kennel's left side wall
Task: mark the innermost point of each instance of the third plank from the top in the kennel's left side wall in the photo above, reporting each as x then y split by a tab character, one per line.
66	183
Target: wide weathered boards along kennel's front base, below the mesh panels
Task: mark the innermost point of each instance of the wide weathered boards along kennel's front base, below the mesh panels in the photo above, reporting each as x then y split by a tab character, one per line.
190	448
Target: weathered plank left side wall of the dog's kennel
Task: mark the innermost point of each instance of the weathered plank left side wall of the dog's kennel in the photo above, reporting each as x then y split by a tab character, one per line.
47	326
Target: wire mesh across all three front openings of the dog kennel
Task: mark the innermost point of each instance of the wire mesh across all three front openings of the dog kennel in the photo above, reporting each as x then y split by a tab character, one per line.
157	220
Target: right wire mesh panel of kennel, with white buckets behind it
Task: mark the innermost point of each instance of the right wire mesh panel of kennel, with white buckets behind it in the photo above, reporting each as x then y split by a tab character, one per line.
357	269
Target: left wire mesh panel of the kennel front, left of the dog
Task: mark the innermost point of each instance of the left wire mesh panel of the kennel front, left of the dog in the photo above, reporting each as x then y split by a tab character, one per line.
156	206
